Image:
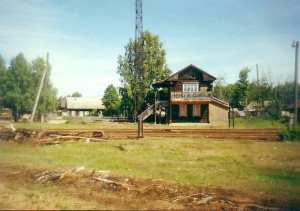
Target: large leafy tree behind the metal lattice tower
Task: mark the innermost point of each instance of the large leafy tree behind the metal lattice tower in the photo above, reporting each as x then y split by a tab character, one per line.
154	68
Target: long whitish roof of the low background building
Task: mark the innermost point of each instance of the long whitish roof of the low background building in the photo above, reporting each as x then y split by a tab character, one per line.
81	103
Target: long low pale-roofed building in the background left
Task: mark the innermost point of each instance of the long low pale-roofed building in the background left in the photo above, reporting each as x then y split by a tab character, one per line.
79	106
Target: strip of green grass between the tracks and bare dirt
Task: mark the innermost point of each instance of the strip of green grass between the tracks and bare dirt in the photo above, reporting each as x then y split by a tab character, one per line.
257	166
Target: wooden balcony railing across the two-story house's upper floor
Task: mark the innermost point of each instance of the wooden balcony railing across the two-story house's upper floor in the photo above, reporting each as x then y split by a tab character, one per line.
191	96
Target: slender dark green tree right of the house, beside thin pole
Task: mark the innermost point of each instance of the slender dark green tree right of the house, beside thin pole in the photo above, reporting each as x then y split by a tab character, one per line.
239	96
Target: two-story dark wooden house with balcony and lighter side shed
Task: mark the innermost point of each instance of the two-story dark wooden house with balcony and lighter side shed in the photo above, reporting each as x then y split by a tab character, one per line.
191	97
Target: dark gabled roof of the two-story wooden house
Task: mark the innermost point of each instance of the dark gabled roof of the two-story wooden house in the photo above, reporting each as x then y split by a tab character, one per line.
174	77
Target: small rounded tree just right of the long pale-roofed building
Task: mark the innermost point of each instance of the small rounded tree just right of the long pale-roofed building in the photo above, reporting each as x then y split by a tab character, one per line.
111	101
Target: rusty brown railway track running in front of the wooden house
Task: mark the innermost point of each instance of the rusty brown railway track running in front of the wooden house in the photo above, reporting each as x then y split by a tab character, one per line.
236	134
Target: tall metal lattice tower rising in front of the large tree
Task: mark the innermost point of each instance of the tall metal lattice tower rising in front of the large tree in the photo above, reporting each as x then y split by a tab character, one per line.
138	72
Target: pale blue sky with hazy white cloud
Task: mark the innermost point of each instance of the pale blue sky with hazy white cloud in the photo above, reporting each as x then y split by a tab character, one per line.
85	37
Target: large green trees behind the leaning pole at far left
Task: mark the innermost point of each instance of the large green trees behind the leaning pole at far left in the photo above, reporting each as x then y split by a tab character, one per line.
19	84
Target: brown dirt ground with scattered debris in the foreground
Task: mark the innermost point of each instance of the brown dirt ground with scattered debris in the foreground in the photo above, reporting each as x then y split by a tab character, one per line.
22	189
